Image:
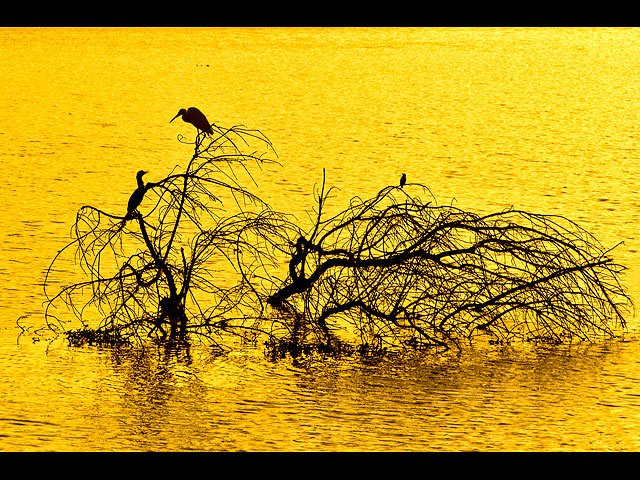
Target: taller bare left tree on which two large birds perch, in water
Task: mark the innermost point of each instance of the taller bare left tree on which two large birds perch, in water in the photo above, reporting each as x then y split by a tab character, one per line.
159	269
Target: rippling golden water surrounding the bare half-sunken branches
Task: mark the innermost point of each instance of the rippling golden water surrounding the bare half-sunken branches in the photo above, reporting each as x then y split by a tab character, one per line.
541	119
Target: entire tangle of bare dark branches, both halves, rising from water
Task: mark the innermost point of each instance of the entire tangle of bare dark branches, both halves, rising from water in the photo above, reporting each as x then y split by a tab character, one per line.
201	260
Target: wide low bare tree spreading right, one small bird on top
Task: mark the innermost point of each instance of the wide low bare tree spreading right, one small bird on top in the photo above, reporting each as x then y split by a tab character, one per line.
403	271
